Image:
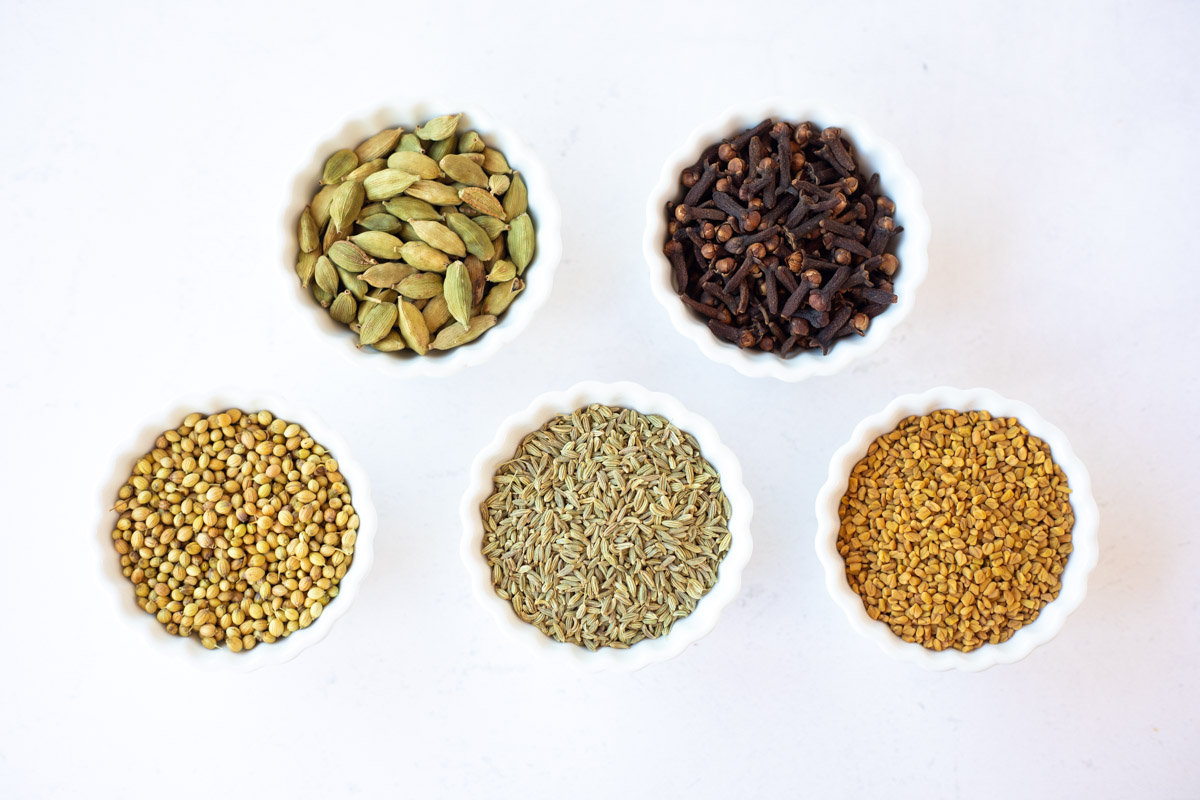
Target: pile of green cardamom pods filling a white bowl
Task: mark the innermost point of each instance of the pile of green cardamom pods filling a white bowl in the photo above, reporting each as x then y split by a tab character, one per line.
417	240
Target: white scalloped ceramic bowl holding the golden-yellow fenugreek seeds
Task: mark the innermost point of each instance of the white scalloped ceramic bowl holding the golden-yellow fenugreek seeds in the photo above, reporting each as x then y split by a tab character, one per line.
1075	578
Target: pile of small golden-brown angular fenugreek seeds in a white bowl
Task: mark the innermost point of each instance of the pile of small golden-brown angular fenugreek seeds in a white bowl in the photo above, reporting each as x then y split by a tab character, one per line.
956	530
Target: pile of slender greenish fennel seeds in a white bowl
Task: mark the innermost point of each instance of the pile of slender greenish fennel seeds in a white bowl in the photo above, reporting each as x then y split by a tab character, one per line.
607	527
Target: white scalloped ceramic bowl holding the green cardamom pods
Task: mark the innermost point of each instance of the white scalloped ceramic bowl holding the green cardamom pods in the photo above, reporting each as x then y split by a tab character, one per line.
539	276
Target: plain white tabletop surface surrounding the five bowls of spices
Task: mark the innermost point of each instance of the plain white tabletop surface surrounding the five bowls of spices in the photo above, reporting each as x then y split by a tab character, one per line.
148	151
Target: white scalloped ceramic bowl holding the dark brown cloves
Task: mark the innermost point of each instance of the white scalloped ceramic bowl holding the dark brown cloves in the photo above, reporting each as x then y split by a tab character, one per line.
897	182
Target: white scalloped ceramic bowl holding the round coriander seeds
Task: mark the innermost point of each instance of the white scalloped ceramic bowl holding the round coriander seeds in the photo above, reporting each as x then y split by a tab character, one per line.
118	592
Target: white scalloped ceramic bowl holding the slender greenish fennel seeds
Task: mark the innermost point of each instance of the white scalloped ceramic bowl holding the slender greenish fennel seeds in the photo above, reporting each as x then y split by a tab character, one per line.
686	631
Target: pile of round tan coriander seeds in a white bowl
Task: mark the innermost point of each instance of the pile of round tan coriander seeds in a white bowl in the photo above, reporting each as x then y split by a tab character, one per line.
237	528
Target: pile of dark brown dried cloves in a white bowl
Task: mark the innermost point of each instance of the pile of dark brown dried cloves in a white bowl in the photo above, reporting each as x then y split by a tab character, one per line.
781	243
